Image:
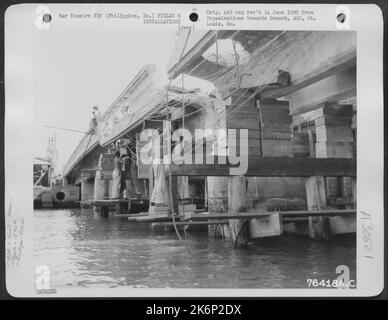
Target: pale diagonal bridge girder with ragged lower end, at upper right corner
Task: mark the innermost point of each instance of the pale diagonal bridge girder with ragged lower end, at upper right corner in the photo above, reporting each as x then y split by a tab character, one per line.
307	56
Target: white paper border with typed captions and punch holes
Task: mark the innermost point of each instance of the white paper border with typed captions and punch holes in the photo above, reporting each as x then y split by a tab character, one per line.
20	28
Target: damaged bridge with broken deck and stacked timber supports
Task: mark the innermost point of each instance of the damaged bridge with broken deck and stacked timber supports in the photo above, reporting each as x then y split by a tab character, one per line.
295	93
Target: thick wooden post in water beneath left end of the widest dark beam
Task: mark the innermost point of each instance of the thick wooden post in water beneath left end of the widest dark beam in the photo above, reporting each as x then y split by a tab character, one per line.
237	201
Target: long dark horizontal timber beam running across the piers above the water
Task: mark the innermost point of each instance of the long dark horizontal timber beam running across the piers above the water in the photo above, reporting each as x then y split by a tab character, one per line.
276	167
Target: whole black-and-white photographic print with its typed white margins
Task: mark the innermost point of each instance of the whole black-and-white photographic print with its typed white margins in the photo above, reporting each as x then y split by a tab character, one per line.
175	157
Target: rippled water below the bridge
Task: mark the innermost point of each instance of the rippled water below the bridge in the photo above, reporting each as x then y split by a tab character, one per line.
82	250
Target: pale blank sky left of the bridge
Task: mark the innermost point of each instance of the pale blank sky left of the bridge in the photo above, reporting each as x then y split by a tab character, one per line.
75	70
